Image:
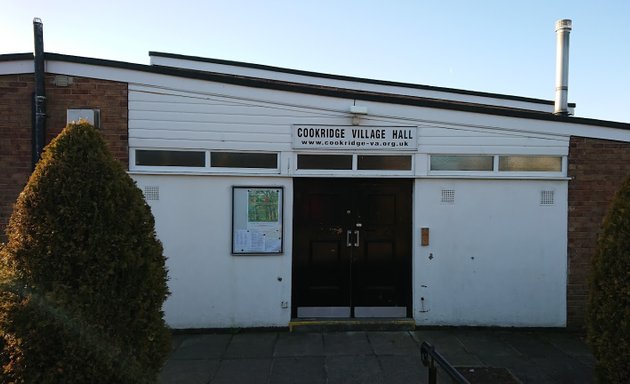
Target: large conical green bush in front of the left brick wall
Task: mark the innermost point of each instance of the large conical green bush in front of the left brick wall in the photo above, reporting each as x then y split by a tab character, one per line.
83	275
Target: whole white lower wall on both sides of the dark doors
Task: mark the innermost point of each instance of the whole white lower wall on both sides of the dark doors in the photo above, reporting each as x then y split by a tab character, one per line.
499	257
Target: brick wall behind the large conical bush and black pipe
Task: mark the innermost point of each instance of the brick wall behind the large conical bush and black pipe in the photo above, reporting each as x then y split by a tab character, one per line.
16	125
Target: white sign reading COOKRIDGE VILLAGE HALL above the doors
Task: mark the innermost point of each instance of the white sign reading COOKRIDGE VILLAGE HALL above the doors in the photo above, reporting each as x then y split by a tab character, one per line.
383	138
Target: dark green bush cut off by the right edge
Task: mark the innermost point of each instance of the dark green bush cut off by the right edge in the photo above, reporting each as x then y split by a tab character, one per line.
609	305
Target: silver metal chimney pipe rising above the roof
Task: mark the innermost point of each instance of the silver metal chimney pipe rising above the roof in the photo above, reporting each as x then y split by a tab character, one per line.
563	28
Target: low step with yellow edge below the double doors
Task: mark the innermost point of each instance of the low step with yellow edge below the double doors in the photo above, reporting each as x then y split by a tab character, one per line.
343	324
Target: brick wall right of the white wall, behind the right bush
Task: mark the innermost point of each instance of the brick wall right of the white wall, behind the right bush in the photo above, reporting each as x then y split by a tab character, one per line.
597	169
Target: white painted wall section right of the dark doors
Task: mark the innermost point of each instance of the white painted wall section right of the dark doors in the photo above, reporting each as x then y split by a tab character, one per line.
499	257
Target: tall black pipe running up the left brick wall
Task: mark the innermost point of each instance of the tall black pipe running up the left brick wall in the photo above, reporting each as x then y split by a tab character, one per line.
39	98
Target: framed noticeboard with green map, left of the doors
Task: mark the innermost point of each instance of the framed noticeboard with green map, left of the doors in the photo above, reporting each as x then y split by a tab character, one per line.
257	220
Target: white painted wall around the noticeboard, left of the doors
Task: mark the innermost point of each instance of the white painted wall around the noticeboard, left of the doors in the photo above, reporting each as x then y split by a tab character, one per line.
210	288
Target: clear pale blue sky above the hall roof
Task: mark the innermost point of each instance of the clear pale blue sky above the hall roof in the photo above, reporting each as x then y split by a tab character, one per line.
498	46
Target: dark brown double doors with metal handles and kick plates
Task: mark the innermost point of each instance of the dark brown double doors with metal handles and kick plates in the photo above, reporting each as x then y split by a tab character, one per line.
352	247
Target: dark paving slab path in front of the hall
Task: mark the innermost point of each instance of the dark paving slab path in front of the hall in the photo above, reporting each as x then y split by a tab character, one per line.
278	357
